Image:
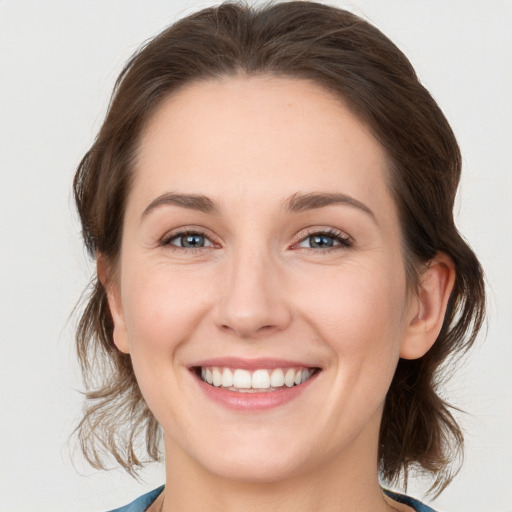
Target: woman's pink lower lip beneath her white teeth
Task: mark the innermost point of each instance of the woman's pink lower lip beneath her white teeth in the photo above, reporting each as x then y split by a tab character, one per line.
253	401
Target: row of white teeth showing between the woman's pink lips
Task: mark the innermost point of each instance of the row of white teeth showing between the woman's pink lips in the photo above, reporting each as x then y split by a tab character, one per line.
258	381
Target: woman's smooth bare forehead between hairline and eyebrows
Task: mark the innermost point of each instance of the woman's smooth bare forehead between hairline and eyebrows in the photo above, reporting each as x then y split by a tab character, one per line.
259	137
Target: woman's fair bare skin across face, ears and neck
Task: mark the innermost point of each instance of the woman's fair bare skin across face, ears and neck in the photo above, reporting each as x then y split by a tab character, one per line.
258	289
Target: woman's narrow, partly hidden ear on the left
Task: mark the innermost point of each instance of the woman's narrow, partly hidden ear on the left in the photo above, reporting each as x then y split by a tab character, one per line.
111	285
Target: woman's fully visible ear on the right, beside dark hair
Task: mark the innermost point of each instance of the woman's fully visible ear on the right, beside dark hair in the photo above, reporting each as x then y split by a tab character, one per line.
428	307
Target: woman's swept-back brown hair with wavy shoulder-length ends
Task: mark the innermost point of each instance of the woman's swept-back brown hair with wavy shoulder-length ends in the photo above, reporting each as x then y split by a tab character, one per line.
343	53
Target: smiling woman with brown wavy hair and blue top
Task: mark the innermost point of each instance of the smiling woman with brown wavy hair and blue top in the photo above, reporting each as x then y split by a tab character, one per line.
279	277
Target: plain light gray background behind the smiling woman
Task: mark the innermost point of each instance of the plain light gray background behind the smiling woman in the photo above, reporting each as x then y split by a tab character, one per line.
58	62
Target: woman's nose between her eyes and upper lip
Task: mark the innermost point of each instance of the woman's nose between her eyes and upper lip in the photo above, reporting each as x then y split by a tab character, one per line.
254	302
